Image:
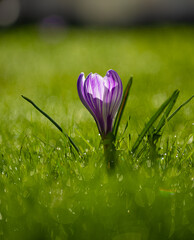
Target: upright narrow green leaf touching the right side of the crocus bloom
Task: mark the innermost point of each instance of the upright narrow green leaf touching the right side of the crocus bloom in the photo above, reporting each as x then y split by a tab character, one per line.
122	107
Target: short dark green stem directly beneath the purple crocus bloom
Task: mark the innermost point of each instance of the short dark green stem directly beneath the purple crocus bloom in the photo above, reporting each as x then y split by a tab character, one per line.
110	151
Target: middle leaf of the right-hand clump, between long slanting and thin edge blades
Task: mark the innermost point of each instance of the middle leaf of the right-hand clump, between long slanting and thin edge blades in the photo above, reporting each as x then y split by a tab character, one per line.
164	118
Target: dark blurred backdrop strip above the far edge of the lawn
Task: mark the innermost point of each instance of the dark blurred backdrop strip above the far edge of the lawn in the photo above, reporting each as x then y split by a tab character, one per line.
87	12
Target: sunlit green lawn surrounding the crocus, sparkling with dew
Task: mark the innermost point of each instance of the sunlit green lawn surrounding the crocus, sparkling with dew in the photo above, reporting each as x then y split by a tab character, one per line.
46	190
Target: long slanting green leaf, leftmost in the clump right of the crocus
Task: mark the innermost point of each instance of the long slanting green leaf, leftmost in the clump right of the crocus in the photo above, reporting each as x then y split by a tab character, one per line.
152	120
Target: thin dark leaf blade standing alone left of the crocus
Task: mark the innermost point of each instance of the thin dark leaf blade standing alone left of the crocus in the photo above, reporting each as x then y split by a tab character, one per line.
56	124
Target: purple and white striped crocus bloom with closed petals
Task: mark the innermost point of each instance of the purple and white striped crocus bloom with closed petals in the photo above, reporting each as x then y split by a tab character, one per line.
102	97
